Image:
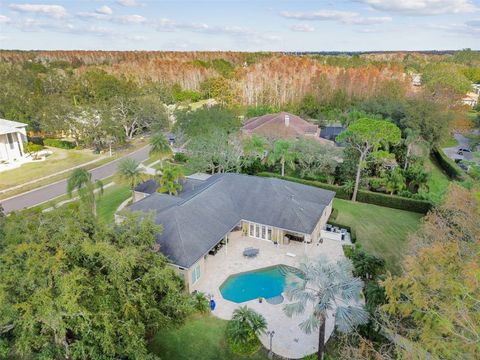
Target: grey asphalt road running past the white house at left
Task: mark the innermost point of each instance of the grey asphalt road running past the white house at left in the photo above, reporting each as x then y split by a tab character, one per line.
48	192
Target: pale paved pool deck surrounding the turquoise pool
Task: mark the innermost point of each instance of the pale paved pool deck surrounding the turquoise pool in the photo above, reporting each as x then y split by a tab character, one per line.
289	340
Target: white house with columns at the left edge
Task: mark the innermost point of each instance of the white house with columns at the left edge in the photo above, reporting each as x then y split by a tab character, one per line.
12	136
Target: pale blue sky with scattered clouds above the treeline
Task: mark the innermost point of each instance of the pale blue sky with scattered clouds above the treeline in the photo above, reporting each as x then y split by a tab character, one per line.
249	25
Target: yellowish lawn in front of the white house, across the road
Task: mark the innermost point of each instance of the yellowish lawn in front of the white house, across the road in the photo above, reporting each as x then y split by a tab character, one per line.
59	160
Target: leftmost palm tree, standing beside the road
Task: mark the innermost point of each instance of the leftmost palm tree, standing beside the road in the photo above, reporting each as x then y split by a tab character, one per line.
81	180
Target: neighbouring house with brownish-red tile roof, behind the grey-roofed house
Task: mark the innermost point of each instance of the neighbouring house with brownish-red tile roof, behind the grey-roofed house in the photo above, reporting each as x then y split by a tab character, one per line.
281	125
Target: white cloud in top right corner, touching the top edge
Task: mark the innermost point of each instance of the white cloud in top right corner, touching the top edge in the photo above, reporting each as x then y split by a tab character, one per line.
423	7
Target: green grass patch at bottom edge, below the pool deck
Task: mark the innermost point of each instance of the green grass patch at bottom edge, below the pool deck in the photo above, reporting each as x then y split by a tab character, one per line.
202	337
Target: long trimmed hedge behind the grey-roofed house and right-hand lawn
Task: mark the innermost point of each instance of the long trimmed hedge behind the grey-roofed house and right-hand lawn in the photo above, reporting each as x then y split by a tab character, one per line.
365	196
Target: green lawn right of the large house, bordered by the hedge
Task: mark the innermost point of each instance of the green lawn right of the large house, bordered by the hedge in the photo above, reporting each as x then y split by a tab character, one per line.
381	231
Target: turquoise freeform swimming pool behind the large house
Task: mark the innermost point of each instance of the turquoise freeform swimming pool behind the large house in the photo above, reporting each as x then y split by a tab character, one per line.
266	283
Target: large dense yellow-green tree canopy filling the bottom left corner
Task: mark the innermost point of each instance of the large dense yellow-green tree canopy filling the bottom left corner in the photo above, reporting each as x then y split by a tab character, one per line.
72	288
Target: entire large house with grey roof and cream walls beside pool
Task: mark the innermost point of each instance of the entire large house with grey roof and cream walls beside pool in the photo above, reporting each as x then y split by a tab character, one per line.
200	219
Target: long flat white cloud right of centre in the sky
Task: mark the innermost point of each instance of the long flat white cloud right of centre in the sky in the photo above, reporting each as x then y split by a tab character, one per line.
345	17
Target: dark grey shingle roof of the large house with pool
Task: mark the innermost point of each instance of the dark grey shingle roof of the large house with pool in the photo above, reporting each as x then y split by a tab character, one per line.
198	219
